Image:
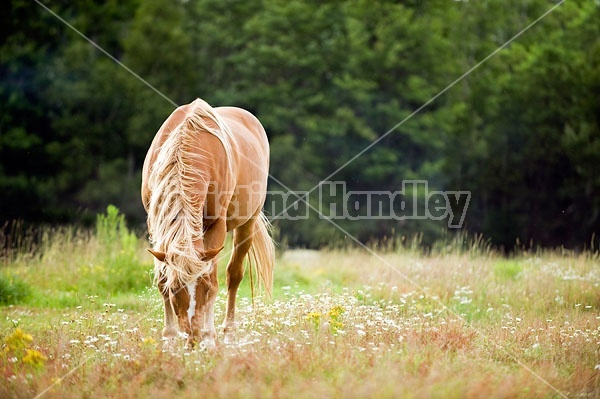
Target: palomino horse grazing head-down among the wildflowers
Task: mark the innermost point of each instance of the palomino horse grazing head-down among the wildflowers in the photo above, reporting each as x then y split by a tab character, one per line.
206	174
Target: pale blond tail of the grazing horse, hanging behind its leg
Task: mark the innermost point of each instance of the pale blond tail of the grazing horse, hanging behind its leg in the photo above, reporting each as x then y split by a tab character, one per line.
262	252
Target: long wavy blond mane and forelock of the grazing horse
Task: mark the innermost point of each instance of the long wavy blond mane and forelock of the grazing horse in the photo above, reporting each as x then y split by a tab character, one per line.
176	204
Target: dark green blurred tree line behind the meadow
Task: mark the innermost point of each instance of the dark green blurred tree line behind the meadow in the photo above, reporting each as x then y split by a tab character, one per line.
522	132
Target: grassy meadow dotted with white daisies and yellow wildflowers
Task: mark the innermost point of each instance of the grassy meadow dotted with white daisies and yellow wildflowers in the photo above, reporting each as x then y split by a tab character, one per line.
80	319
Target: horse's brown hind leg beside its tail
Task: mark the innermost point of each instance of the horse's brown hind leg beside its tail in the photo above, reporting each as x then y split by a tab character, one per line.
242	240
